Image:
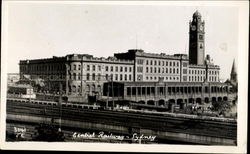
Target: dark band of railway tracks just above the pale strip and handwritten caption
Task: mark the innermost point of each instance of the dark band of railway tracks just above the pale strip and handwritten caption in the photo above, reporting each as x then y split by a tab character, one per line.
129	119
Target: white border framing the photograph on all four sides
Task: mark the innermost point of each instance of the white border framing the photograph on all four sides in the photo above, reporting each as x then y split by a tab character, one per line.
69	146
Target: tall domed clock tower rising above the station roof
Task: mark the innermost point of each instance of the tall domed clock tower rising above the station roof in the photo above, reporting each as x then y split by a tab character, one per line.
196	40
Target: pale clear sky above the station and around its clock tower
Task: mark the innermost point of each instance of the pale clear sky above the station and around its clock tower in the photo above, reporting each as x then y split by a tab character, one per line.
43	30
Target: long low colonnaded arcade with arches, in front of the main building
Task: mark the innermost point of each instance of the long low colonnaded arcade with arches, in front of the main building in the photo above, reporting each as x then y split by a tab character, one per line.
167	95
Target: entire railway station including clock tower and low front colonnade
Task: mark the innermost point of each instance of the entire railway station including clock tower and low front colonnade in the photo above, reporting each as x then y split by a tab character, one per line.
83	75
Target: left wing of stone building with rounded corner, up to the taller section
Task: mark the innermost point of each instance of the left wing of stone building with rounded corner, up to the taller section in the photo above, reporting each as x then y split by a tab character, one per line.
80	75
